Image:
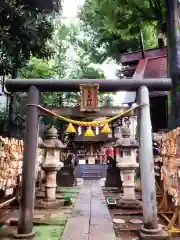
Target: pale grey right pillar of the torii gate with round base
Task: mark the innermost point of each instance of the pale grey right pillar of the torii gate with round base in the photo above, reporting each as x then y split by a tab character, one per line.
151	230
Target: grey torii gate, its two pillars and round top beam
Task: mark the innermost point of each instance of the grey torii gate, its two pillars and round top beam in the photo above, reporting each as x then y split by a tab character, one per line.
150	230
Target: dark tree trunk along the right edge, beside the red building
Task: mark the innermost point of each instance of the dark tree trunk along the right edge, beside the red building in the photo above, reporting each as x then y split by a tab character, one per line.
173	37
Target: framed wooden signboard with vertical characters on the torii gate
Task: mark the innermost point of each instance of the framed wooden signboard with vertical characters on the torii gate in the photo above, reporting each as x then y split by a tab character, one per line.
89	97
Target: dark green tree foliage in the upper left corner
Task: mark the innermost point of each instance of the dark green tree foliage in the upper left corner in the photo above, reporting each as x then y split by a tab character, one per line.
24	32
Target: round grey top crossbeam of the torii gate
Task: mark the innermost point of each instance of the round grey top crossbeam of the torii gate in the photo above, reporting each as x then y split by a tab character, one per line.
105	85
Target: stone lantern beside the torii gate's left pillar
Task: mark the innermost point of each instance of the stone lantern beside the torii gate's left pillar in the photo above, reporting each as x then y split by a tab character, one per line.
52	164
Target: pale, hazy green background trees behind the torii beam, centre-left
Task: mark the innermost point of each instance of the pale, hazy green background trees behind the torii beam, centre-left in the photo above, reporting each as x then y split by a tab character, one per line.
64	38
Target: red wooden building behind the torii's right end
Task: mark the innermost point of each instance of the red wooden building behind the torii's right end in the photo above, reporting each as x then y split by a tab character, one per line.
152	65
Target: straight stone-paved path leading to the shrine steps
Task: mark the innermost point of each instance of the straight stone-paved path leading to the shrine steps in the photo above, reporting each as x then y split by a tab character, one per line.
90	219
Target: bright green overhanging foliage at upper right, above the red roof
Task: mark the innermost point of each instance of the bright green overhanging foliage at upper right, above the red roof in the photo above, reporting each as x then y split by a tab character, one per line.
113	27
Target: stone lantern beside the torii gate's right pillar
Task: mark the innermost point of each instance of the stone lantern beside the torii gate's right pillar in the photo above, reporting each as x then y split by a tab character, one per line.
127	165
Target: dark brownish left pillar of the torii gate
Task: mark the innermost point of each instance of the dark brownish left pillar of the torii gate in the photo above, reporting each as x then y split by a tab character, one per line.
25	224
